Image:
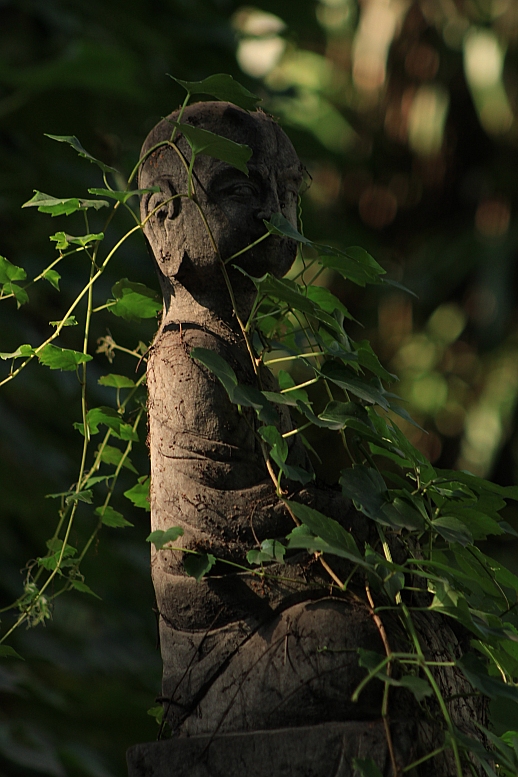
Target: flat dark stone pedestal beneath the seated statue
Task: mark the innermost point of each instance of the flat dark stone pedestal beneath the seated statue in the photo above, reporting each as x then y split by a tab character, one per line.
325	750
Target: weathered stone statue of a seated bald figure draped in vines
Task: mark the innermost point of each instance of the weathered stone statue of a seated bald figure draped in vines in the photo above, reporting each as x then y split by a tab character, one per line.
243	655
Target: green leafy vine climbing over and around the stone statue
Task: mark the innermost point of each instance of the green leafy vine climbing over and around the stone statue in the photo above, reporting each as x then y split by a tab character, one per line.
439	515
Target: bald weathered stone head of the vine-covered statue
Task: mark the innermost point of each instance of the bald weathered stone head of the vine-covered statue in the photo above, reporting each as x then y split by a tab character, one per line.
191	238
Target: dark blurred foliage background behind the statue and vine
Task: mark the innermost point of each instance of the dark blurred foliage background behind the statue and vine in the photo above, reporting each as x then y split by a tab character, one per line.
404	114
